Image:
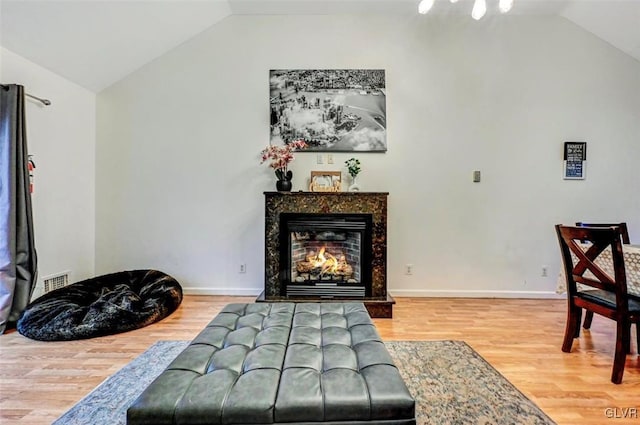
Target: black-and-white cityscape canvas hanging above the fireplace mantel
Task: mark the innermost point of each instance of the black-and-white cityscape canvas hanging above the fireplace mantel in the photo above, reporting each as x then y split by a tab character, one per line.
332	110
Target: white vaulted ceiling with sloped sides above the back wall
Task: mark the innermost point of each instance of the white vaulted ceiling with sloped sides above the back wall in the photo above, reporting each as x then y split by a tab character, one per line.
95	43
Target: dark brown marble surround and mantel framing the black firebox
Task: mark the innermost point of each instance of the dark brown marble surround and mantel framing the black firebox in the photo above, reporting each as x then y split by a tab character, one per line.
377	301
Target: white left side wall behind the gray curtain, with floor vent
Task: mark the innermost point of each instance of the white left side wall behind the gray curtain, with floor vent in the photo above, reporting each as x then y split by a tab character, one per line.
62	139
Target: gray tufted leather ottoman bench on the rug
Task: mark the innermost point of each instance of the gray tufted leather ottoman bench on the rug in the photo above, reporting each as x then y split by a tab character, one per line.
280	363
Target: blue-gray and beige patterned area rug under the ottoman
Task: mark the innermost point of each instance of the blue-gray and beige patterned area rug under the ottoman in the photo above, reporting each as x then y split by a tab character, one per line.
451	383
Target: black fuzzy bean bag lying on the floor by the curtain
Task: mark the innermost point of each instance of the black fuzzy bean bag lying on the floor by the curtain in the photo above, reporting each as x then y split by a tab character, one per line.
103	305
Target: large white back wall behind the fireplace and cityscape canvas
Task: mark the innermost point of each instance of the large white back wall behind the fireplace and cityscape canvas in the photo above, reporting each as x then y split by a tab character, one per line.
179	185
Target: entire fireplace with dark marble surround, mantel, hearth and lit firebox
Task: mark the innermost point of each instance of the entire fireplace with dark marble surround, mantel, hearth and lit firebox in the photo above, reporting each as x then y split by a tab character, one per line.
327	247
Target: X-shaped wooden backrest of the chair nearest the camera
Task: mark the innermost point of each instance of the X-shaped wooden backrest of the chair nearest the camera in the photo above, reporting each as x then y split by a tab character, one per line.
585	267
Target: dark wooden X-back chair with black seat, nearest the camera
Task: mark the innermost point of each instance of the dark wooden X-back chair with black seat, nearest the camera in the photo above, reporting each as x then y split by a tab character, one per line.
609	296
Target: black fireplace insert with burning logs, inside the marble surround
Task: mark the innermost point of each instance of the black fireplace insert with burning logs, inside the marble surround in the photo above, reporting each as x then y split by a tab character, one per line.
325	255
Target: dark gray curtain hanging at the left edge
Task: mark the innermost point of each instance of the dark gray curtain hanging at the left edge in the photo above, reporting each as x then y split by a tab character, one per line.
18	262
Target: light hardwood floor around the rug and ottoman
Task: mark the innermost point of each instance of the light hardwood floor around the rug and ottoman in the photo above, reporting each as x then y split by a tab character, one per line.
520	338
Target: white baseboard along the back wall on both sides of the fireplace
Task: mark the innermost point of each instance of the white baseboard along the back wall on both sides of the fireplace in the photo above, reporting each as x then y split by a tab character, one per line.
435	293
